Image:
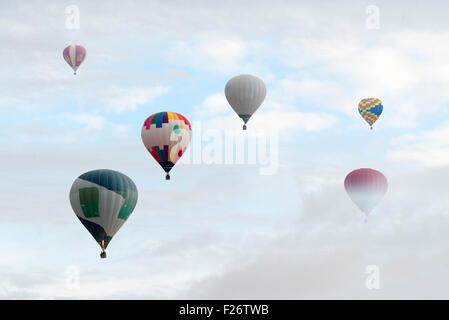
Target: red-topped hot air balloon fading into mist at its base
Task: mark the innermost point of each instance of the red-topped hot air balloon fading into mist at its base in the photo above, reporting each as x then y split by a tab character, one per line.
366	187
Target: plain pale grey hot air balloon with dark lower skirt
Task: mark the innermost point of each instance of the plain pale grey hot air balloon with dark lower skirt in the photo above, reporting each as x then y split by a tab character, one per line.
245	93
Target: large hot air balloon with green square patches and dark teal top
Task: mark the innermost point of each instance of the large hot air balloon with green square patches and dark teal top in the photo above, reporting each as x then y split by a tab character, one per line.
103	200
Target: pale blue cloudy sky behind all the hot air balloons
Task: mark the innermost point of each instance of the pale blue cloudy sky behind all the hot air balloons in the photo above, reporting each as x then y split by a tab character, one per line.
224	229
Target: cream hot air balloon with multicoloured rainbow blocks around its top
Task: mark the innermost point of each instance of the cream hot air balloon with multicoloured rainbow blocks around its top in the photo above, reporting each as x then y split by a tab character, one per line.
166	135
